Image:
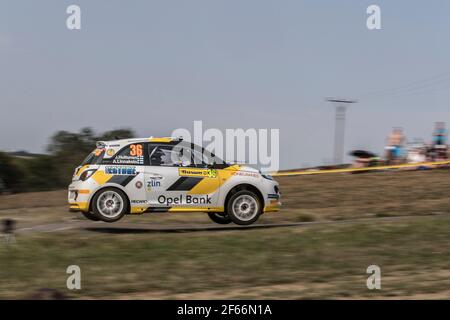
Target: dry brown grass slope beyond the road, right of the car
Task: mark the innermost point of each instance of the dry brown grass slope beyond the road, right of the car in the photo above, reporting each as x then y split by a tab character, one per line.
347	196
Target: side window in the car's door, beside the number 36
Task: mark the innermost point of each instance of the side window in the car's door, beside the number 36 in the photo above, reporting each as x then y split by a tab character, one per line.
169	156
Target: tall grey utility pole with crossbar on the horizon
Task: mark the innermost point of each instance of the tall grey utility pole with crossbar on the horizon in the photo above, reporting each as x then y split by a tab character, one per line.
339	127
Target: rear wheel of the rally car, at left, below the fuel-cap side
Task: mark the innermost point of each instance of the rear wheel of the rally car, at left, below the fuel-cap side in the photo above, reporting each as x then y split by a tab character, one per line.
110	204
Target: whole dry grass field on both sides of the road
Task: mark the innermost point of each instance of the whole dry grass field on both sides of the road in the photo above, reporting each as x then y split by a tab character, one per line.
318	260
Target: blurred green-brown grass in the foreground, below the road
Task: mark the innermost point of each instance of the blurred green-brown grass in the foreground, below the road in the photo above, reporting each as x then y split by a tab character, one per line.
322	261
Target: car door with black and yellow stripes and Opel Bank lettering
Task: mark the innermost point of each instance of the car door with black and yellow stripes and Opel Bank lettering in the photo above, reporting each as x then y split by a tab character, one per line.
175	179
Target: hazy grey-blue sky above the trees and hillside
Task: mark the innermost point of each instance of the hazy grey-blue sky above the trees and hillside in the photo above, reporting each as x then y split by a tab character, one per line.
155	66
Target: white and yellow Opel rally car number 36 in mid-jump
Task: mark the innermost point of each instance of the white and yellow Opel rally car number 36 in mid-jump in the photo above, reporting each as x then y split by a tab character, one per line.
135	176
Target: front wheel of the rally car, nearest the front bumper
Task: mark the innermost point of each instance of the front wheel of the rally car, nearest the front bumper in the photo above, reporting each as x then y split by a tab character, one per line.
241	202
